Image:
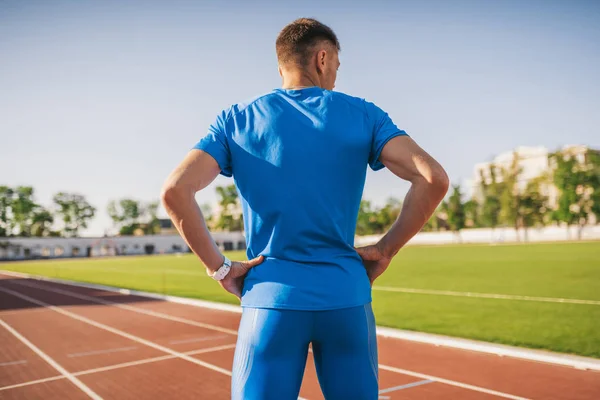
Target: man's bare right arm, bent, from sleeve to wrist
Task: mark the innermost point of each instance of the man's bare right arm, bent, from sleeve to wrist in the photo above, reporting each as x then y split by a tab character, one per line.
429	184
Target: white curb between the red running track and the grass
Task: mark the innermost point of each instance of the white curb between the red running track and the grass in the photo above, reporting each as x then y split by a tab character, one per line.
543	356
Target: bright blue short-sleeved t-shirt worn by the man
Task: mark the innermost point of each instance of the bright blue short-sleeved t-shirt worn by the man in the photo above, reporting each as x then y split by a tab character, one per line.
299	160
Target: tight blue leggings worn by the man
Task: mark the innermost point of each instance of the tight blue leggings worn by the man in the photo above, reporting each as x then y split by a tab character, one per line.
272	346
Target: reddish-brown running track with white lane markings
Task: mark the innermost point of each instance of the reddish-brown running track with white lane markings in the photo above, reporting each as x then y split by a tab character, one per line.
68	342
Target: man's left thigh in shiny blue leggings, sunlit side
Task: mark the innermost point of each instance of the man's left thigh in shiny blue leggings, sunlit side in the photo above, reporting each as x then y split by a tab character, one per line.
270	354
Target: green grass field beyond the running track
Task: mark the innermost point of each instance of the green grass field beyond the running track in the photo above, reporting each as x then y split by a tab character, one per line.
568	270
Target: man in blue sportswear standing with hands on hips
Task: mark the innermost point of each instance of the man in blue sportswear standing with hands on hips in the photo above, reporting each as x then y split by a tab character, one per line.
299	156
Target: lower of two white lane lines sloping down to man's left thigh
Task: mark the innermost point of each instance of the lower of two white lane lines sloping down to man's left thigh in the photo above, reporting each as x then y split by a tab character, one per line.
118	332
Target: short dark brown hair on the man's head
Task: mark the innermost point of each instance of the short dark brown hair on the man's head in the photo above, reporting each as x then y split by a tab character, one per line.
297	39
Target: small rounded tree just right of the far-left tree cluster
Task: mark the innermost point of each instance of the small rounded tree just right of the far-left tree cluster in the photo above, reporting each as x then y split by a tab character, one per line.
75	211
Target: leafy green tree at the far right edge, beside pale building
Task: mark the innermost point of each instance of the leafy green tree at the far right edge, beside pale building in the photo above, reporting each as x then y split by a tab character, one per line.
577	183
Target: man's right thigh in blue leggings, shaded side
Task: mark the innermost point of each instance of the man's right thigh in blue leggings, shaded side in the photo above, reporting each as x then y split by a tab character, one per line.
345	350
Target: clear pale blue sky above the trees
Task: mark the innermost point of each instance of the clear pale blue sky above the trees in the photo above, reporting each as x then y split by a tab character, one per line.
104	98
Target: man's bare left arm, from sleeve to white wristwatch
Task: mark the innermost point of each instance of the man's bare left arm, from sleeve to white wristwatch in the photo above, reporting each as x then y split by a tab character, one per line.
194	173
